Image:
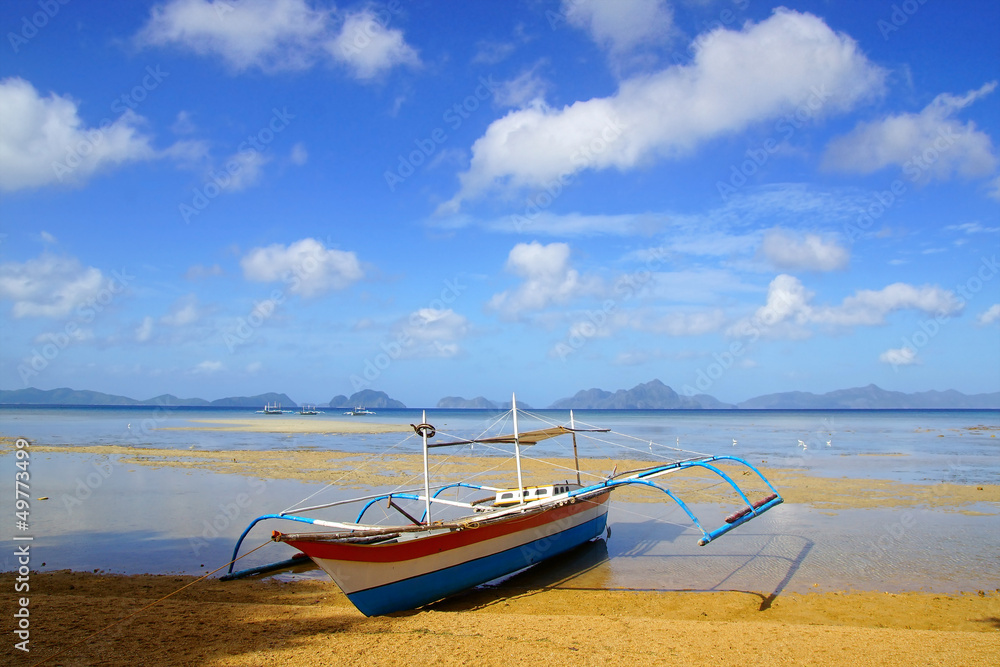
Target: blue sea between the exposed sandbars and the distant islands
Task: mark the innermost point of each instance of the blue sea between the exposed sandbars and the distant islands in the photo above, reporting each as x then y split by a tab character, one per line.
925	445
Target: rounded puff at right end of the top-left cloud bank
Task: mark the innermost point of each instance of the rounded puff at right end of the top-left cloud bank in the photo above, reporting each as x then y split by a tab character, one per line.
369	48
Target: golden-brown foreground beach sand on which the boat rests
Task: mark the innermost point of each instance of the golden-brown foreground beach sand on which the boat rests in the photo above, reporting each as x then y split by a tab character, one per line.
308	623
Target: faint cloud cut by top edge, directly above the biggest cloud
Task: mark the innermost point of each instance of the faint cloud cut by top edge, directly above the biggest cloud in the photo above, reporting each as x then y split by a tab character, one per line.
620	25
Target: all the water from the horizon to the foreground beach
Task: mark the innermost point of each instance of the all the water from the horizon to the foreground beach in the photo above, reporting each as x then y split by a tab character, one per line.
104	515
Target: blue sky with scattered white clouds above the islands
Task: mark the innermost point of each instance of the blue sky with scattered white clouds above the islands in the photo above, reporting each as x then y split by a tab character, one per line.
449	198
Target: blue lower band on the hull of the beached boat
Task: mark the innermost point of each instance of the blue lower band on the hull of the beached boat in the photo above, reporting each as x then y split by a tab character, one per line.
417	591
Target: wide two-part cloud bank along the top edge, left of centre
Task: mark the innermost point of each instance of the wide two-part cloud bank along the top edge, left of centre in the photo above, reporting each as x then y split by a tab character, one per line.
279	35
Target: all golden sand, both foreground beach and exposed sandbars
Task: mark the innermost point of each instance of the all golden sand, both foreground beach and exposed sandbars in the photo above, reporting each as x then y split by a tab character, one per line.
268	621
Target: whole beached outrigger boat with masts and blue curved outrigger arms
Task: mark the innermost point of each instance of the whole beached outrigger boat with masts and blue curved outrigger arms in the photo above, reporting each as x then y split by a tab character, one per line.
465	543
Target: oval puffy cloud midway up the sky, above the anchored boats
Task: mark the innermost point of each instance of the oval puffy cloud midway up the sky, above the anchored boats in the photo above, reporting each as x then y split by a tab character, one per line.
306	266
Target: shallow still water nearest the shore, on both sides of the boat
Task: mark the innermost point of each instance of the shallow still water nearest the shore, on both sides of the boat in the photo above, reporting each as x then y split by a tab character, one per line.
106	515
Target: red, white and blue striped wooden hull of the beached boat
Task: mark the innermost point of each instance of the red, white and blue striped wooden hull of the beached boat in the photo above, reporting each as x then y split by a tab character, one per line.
383	578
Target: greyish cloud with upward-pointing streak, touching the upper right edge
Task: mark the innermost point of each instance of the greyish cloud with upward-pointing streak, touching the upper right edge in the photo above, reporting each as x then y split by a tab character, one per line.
927	145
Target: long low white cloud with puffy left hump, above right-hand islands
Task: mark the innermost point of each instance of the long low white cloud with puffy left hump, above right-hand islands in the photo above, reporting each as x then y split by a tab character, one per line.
789	310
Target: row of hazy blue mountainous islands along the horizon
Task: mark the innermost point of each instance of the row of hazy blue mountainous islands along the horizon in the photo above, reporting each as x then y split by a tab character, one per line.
652	395
